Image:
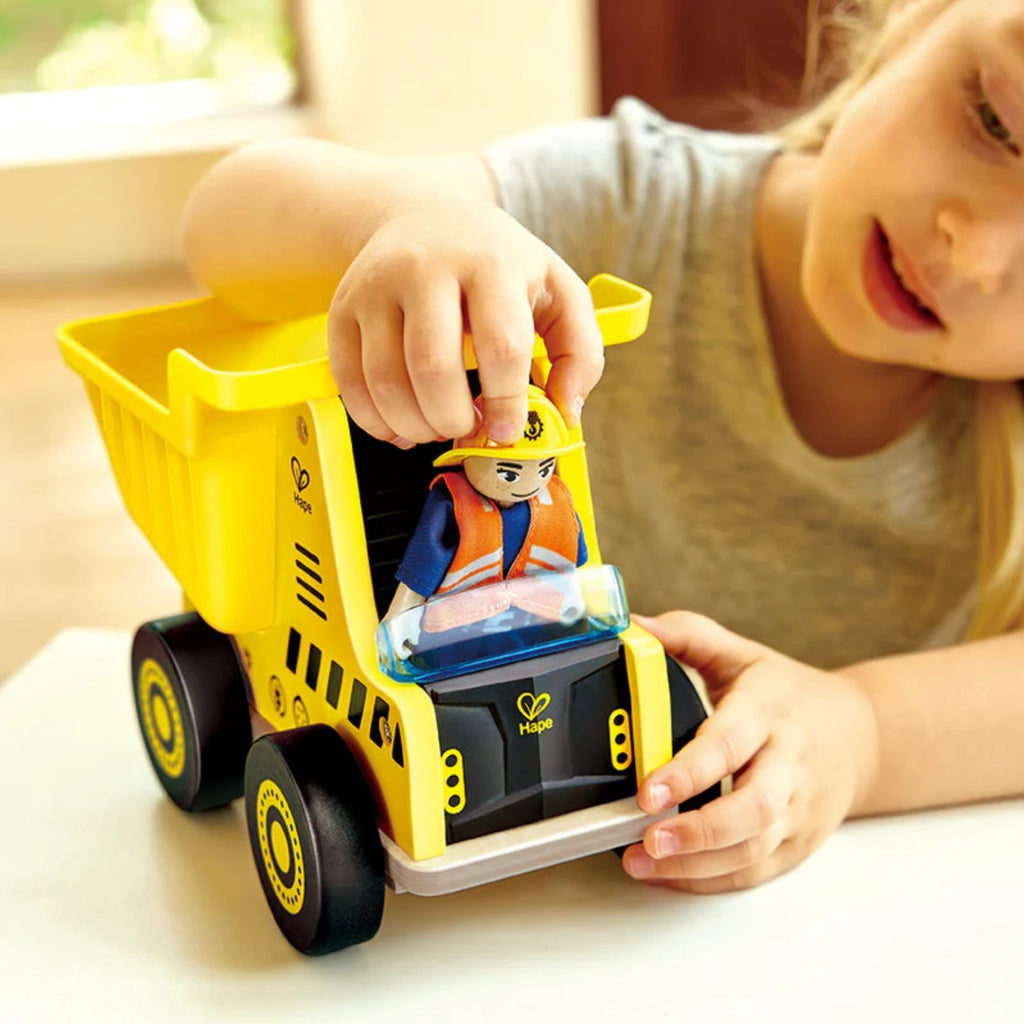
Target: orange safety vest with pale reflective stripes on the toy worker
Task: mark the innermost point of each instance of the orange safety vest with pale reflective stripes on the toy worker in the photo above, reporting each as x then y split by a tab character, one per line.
550	546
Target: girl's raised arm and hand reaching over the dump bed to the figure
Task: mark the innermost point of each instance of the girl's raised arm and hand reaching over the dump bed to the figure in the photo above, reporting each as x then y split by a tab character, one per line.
421	250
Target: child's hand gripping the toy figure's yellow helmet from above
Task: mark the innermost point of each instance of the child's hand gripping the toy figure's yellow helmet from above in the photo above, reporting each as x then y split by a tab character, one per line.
434	268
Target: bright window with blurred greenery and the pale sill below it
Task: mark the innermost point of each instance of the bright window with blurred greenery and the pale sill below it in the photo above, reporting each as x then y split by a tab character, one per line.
104	102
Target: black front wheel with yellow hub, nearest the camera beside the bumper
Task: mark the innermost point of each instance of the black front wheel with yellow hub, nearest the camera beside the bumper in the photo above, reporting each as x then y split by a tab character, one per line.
313	827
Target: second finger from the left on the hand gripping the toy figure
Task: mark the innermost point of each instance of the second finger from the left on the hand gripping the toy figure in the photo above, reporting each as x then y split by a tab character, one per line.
387	376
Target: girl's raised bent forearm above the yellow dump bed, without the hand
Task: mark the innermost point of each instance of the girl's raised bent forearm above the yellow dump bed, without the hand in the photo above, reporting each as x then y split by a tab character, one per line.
272	229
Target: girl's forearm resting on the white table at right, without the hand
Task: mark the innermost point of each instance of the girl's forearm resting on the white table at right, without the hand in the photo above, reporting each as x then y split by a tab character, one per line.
951	726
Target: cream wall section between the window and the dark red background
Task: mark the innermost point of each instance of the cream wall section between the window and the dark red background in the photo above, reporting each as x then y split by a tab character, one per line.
452	74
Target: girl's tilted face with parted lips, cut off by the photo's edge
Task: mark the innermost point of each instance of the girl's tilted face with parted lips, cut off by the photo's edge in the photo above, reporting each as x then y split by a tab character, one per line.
915	250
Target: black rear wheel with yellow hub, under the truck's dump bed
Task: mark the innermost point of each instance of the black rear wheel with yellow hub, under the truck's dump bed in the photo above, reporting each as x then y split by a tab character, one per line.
193	711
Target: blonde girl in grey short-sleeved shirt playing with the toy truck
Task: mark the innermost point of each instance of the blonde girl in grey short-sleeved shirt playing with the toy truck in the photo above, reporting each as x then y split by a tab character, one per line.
819	444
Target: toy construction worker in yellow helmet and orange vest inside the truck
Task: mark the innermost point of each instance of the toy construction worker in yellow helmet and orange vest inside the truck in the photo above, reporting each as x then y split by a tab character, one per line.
501	520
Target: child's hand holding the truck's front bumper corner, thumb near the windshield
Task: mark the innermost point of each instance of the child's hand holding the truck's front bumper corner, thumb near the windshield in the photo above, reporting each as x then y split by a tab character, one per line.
800	743
